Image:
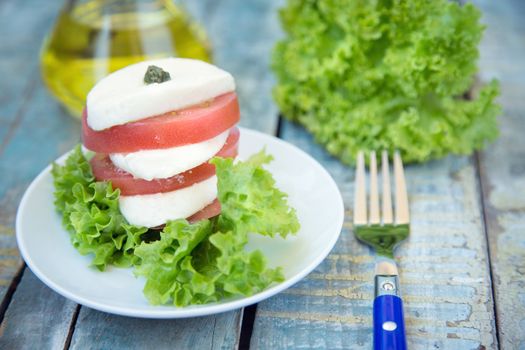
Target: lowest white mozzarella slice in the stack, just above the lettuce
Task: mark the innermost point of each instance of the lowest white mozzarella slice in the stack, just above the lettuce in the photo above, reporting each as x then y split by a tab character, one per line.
152	210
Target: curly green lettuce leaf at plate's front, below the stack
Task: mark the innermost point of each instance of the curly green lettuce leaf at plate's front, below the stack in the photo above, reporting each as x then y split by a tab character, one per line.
192	265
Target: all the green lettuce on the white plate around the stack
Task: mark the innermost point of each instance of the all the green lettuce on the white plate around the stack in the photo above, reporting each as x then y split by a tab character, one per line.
186	263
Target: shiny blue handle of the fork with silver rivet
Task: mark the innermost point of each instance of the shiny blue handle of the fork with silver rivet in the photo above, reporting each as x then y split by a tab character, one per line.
389	324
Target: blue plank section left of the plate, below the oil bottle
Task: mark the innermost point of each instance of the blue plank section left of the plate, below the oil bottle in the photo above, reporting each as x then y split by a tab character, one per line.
43	133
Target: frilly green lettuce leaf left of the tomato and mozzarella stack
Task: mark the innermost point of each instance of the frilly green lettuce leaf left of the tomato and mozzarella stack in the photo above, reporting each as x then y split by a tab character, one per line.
91	214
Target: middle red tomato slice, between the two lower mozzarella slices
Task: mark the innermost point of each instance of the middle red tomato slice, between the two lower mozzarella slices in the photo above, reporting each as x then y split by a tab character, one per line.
105	170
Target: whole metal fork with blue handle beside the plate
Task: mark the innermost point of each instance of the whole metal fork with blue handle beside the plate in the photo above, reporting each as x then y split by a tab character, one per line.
383	233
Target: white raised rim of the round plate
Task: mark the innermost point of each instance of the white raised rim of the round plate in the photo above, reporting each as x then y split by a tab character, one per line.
173	312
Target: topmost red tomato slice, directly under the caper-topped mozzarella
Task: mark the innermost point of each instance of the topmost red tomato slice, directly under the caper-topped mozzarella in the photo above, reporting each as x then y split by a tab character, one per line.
176	128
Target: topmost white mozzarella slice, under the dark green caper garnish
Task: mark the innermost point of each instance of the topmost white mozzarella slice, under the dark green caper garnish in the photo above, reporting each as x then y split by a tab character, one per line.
123	97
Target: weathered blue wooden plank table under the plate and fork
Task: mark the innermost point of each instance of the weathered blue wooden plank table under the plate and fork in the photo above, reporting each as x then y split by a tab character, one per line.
463	269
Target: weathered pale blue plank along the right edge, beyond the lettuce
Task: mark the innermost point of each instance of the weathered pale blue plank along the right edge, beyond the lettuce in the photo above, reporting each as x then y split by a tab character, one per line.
502	166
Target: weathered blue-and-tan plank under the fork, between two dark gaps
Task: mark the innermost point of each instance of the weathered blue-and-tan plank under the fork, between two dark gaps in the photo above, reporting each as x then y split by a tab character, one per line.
444	270
